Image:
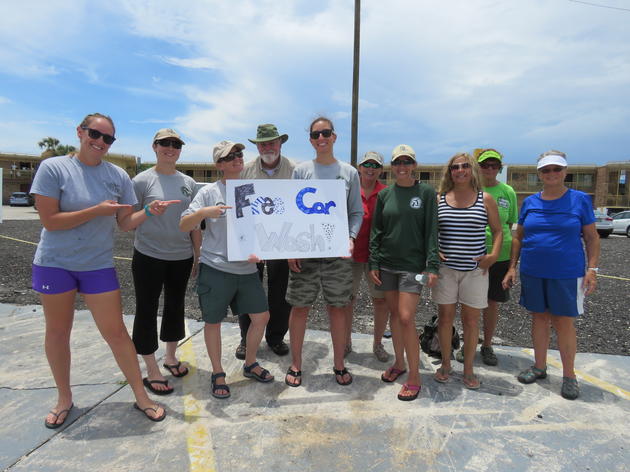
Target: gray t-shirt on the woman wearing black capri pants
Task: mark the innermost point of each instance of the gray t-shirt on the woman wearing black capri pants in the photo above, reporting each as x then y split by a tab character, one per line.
160	236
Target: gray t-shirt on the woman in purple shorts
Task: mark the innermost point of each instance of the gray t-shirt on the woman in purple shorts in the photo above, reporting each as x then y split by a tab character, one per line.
77	186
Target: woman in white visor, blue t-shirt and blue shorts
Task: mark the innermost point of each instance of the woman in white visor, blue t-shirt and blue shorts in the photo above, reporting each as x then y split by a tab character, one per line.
548	240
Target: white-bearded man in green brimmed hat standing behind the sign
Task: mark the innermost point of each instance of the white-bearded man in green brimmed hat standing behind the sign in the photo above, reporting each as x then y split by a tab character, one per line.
270	164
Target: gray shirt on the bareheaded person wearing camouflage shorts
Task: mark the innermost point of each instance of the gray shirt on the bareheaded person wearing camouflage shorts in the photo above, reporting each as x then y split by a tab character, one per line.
338	170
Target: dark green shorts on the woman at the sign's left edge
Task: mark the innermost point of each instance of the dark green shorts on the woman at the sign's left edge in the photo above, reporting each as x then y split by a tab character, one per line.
217	290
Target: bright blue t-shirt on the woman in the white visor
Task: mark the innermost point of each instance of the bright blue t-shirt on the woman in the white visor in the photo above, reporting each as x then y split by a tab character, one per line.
552	243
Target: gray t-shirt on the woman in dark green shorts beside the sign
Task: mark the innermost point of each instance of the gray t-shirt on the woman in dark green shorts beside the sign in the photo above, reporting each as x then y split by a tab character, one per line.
214	243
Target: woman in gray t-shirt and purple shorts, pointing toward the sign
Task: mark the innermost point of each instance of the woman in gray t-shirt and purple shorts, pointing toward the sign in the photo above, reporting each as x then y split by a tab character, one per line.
80	198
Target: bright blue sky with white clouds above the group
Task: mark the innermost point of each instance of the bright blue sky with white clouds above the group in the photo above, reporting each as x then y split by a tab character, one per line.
442	76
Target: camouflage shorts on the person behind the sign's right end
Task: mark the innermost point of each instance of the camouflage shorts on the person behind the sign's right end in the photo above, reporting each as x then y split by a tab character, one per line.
332	275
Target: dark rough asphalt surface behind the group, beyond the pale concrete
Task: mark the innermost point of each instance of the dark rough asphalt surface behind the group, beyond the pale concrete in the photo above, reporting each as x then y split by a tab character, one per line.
604	328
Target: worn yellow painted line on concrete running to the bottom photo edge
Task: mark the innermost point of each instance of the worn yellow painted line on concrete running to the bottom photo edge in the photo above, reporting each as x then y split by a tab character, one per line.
198	438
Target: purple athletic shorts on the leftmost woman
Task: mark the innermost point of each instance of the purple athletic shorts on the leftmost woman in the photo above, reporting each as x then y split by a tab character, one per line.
53	280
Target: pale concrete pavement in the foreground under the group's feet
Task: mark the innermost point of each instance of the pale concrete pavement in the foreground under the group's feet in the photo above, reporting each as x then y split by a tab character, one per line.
319	426
